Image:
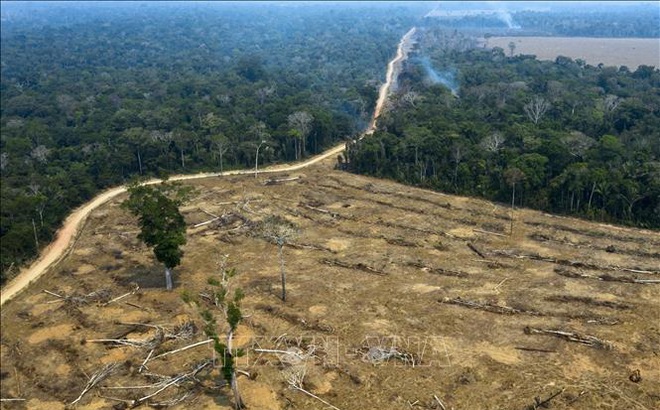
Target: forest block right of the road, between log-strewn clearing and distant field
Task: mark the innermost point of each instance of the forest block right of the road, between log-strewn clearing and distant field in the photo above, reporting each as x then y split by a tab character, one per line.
575	139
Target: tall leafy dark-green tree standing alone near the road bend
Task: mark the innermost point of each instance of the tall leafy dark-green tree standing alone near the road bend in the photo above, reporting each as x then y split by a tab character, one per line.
161	224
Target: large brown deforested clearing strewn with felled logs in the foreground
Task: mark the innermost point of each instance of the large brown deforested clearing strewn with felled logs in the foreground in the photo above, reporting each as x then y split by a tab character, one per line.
389	304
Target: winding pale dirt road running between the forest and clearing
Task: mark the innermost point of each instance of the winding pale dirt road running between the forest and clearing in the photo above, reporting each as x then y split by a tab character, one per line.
67	235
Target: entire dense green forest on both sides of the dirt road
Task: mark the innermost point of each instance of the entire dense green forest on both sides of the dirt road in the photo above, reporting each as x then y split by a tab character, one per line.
95	93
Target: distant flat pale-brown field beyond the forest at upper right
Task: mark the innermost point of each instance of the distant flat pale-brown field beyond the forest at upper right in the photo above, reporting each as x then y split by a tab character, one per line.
631	52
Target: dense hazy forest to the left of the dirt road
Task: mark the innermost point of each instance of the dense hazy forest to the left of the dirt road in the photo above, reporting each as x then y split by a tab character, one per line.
94	94
